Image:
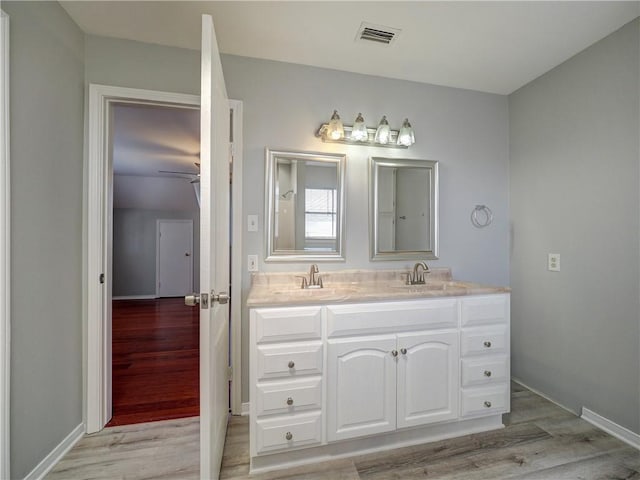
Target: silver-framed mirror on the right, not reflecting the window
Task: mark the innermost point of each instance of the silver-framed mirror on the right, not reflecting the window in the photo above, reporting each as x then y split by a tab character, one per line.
403	212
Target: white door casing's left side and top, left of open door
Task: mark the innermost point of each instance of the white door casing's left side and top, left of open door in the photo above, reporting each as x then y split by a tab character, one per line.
96	228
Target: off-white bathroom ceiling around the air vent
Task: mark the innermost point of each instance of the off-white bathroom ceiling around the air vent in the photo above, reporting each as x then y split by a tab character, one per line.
488	46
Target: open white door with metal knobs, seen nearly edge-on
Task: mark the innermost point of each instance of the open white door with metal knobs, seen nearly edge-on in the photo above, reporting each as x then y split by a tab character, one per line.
214	256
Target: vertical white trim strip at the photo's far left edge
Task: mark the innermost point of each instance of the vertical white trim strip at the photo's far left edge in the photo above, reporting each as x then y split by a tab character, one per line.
5	251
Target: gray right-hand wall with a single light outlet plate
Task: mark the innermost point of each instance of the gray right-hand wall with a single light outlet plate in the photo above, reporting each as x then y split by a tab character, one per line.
574	136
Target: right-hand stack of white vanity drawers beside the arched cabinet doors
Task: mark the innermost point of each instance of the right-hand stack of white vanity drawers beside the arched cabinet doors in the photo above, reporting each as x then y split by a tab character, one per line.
484	349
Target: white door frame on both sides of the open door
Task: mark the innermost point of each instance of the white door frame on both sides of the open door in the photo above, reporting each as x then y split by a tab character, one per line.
98	191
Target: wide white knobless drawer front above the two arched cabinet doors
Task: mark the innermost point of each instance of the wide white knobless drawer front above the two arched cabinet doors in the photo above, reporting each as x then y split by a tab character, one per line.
391	317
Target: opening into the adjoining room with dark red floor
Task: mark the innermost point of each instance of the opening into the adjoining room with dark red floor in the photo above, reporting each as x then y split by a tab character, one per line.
154	153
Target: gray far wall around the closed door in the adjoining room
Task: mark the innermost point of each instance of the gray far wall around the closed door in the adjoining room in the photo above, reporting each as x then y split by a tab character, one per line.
134	249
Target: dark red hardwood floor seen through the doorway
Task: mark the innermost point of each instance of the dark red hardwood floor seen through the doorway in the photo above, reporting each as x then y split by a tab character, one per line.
155	360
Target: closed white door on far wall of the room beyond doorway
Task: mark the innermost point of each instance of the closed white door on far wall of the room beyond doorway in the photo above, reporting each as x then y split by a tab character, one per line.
175	258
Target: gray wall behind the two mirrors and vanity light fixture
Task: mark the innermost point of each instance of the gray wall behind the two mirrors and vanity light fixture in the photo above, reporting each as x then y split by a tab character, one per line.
466	131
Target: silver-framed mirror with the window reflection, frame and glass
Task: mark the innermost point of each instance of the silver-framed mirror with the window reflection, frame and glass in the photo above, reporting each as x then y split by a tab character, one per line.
304	206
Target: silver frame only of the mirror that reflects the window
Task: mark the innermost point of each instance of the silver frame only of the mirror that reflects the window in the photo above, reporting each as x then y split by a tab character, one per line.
273	255
